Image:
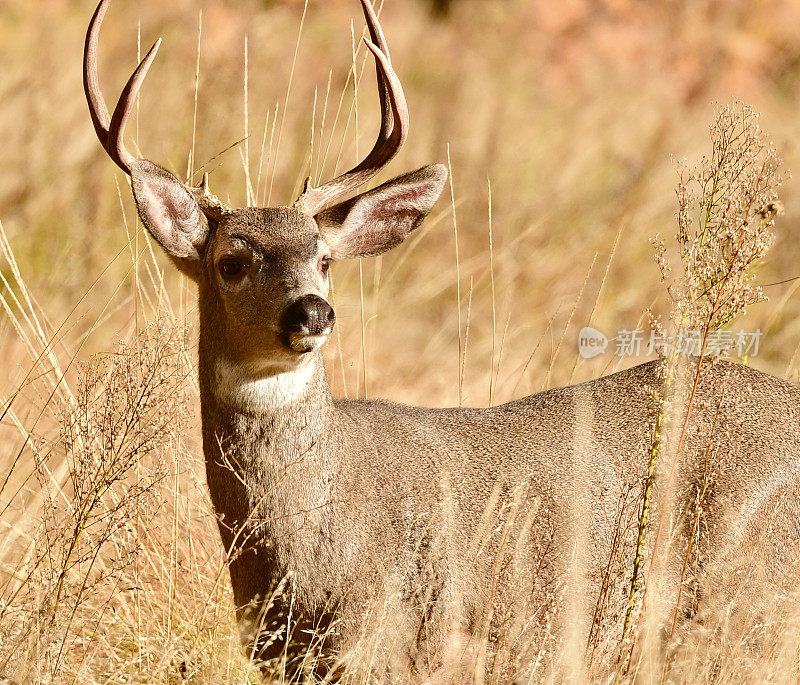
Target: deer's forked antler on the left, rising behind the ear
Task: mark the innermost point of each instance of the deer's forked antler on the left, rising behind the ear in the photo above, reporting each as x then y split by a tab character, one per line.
111	130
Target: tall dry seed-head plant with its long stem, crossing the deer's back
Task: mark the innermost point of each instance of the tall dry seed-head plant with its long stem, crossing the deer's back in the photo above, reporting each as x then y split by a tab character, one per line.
727	204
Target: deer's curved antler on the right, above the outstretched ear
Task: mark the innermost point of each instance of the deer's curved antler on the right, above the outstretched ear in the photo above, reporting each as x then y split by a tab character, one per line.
393	133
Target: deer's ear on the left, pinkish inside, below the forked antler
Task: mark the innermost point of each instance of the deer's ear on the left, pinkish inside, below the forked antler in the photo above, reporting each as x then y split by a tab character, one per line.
170	213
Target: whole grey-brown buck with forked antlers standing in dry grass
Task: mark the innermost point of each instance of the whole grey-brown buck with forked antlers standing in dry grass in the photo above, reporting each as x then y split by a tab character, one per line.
447	528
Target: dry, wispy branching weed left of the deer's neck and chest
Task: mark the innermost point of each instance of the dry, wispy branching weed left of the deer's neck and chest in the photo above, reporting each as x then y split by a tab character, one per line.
128	409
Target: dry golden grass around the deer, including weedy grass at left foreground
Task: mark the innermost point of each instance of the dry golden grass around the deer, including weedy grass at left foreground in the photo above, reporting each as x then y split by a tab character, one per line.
110	564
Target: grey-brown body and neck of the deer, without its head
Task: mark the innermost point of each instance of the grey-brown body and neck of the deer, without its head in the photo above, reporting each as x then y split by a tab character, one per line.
340	486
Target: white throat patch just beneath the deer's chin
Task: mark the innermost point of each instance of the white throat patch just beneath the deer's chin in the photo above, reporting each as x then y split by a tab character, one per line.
237	387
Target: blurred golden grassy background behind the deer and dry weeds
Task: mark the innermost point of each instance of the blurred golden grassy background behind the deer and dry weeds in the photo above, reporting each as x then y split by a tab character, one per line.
559	121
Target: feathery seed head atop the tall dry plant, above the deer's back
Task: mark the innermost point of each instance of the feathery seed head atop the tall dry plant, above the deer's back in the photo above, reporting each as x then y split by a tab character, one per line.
727	205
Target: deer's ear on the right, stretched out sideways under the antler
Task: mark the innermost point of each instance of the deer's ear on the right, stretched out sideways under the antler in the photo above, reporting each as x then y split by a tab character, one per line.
382	218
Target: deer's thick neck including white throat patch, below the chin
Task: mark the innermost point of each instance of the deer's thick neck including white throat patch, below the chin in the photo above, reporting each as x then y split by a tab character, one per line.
269	444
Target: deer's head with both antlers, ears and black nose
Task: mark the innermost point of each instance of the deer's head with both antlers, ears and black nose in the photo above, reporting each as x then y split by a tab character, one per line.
263	272
